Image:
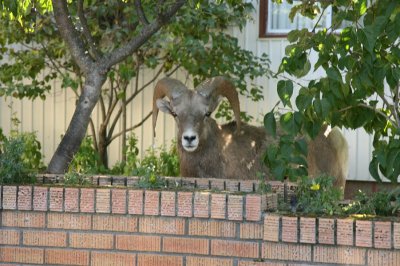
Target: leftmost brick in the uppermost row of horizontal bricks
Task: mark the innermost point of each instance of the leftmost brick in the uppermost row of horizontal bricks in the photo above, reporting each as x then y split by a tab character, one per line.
23	219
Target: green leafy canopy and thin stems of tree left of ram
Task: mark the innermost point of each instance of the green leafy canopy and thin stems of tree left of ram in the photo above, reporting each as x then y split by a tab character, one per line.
195	41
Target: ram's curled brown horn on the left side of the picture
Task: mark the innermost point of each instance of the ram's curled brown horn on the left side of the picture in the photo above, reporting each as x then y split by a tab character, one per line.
169	87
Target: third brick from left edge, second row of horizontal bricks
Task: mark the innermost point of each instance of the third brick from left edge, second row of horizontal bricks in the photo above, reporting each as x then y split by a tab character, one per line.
89	240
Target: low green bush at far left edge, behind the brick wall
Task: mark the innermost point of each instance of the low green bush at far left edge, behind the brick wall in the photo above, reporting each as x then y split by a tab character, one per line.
13	168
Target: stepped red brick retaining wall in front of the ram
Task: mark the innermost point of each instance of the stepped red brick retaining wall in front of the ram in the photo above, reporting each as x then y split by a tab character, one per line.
129	226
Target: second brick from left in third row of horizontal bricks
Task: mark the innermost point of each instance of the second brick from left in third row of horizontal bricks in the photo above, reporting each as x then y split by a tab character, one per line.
66	257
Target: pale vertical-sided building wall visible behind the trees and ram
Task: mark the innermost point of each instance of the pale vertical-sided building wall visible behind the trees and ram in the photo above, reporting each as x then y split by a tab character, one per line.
50	118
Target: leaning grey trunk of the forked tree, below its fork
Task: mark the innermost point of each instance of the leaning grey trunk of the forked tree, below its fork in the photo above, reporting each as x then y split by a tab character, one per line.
76	131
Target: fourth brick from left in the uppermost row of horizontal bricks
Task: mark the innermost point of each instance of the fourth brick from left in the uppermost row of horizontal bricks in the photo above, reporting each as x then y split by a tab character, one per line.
162	225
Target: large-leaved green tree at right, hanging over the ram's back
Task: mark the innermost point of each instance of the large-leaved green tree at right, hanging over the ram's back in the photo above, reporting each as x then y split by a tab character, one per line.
360	87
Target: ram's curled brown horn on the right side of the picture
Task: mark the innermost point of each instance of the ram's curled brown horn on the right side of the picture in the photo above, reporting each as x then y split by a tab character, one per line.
221	86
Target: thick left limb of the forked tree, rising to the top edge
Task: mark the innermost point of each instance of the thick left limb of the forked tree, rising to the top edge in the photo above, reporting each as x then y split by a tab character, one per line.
71	36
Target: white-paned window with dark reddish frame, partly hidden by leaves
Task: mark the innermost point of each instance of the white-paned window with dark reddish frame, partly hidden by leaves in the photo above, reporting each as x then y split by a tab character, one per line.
275	22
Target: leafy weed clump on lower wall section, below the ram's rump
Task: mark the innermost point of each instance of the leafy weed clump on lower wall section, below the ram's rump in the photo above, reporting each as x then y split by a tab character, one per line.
318	196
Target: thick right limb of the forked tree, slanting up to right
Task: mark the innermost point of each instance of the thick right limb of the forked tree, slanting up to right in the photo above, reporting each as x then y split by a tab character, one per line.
148	30
